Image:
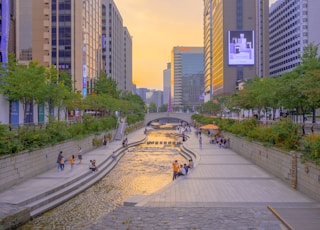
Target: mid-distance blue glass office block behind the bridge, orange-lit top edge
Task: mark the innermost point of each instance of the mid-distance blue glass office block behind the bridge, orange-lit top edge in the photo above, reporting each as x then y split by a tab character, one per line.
186	76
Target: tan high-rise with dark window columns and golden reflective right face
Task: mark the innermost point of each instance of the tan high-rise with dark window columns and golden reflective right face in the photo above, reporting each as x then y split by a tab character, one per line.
66	34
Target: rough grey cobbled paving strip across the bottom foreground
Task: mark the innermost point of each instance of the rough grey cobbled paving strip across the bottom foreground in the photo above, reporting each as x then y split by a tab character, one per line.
206	218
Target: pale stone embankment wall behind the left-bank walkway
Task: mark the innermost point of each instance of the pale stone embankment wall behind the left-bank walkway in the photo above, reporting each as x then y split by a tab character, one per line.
17	168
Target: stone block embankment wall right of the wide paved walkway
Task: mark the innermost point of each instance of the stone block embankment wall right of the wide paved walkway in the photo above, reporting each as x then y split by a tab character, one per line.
305	177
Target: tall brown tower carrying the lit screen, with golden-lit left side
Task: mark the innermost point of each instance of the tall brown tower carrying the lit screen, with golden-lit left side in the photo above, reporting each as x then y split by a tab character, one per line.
235	44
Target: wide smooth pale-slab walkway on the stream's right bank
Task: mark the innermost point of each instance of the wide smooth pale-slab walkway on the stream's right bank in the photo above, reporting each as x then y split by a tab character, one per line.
224	178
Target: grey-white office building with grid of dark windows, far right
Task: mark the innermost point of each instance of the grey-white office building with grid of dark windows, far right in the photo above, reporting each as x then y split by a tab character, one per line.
293	25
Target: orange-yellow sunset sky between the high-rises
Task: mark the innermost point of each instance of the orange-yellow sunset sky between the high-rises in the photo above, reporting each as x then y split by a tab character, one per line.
156	26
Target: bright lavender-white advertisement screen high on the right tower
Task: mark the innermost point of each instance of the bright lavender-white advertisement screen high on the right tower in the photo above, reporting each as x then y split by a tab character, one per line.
241	47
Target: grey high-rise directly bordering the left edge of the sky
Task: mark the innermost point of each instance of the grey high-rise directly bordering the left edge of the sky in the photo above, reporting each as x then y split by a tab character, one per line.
117	43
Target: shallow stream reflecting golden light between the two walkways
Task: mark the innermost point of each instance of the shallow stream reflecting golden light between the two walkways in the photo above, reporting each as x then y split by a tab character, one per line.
144	169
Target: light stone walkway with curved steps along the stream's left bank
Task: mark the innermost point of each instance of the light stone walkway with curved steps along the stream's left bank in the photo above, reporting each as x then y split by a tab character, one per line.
47	190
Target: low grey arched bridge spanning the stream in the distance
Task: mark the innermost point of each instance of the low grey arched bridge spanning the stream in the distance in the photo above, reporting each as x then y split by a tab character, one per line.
149	117
